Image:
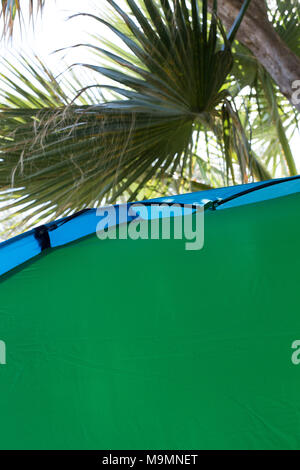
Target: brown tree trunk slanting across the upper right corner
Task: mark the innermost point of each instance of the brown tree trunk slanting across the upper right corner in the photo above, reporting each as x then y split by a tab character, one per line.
258	34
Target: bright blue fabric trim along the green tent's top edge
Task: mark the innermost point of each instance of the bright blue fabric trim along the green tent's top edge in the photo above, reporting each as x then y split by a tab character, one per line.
22	248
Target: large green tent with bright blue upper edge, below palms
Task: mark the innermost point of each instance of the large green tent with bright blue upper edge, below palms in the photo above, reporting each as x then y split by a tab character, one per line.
143	344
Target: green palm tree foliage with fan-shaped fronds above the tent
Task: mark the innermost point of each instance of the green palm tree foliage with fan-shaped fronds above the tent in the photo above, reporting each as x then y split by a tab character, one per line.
168	122
